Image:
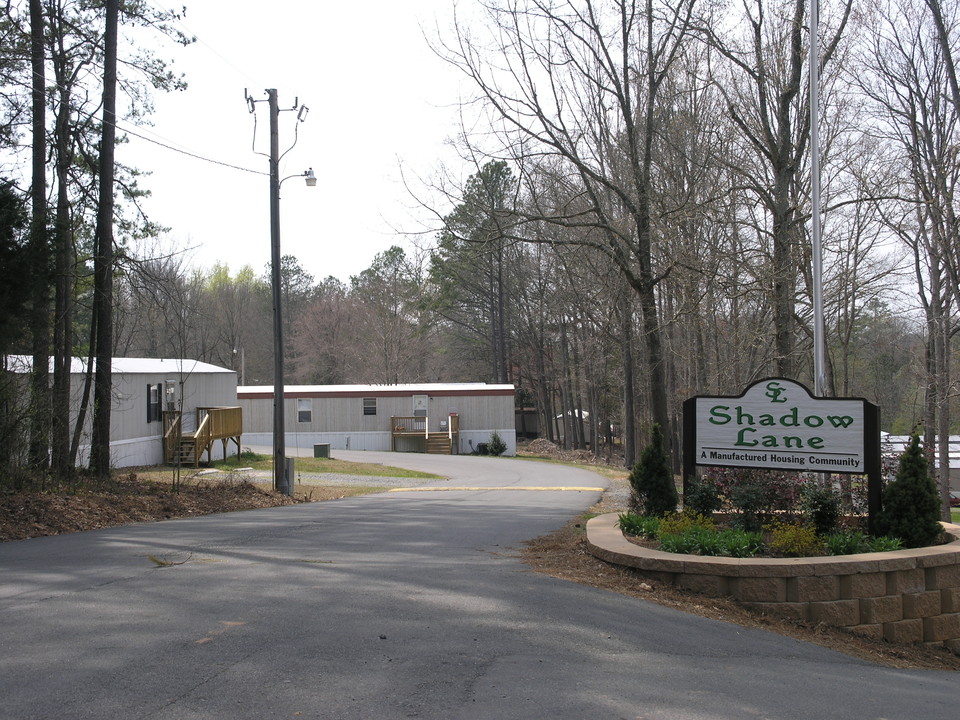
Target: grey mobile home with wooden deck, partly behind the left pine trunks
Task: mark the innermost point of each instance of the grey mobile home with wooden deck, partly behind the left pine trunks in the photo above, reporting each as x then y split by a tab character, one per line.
181	399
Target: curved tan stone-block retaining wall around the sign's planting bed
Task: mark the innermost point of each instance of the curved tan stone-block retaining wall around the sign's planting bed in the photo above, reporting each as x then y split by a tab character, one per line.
904	596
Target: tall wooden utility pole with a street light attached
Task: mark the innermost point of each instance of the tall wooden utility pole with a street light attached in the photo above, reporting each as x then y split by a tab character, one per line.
281	480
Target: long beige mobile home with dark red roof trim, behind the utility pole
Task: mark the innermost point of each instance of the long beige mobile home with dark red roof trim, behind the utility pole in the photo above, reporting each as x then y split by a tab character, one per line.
449	418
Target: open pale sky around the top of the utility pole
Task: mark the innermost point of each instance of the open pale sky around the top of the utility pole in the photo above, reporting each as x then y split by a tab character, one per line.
378	99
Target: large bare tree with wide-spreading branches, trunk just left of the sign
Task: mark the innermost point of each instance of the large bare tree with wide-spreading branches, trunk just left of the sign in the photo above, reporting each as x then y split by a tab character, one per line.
575	85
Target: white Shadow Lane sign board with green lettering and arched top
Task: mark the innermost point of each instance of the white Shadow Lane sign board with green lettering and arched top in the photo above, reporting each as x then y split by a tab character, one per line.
776	424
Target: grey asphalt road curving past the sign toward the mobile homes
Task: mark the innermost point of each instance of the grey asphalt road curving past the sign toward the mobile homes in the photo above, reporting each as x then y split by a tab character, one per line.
396	605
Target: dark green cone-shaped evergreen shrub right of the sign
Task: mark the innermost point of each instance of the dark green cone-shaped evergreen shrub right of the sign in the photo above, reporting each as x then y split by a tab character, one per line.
911	503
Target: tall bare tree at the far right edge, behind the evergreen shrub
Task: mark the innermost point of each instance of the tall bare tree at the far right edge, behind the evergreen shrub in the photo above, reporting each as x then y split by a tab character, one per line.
905	76
